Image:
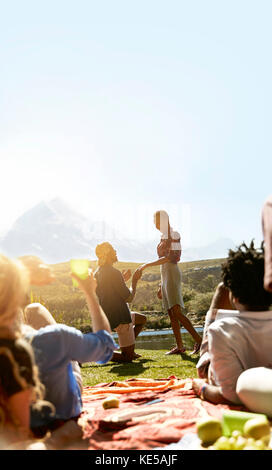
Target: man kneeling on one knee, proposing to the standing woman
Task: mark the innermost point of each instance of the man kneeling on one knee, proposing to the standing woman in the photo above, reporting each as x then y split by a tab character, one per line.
113	295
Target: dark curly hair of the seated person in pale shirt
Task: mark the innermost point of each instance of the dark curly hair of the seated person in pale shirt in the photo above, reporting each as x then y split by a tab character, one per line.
243	275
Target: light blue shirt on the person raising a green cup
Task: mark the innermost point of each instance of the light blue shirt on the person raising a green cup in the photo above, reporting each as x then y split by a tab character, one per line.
55	346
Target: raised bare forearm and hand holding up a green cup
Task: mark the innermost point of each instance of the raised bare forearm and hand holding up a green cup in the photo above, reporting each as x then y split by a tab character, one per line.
98	317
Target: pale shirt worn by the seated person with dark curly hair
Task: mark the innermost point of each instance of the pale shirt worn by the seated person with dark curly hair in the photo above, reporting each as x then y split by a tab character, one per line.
236	344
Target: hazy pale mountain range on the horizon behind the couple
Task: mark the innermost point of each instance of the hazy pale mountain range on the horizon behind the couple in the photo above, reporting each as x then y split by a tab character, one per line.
56	233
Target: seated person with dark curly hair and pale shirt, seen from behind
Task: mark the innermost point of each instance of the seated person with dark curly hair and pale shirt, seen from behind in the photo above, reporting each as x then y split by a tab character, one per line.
241	340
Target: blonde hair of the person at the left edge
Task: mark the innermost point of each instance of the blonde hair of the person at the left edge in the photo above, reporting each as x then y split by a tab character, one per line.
14	282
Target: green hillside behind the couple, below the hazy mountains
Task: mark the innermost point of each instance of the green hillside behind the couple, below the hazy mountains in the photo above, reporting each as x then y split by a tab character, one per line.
67	304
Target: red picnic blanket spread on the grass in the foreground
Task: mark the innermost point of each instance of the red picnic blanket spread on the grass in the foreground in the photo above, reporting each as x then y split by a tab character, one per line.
136	425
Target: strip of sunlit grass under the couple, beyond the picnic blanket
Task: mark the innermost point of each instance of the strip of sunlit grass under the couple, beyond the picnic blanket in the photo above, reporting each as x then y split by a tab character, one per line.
152	364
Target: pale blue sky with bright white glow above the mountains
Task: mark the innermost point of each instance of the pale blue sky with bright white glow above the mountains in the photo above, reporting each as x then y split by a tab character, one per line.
121	108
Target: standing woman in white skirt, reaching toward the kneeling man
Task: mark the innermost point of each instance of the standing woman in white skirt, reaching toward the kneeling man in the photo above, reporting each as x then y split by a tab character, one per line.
169	251
